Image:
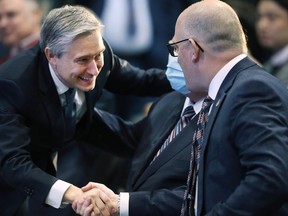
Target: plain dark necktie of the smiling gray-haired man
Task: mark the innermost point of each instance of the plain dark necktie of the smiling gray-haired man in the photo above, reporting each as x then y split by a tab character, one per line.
69	110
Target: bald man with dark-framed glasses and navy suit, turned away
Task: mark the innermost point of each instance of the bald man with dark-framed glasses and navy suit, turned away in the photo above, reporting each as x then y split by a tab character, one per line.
242	163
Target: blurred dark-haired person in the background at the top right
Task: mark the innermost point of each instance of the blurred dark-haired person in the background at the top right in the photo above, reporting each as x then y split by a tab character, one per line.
272	32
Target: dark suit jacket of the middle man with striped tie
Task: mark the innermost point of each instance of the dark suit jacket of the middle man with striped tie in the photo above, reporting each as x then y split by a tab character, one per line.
156	189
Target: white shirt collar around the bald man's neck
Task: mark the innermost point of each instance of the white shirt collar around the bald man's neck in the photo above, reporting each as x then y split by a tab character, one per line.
220	76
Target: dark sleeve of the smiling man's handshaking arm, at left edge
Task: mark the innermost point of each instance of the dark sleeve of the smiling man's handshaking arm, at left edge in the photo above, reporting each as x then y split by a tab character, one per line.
16	166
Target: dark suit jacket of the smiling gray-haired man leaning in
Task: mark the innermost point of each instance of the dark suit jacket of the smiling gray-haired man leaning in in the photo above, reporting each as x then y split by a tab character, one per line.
32	124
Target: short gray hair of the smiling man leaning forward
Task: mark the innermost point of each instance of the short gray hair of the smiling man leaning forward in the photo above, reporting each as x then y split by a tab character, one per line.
62	25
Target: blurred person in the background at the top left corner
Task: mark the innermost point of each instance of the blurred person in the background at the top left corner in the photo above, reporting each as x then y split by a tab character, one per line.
20	22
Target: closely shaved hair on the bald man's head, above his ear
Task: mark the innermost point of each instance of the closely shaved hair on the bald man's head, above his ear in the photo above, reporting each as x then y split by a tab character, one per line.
219	27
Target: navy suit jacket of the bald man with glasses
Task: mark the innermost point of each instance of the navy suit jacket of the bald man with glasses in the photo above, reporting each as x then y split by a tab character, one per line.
244	164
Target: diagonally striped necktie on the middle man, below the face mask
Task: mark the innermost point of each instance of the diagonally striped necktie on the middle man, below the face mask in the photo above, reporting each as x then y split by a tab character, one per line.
182	123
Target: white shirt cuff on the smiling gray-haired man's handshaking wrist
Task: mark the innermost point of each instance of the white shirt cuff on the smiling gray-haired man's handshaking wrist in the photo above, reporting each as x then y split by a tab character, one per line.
56	193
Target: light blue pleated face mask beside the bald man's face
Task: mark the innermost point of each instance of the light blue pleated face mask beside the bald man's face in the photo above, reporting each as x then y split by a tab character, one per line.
175	75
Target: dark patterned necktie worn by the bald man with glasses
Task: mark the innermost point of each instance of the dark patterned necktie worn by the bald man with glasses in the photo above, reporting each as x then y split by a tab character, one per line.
188	205
